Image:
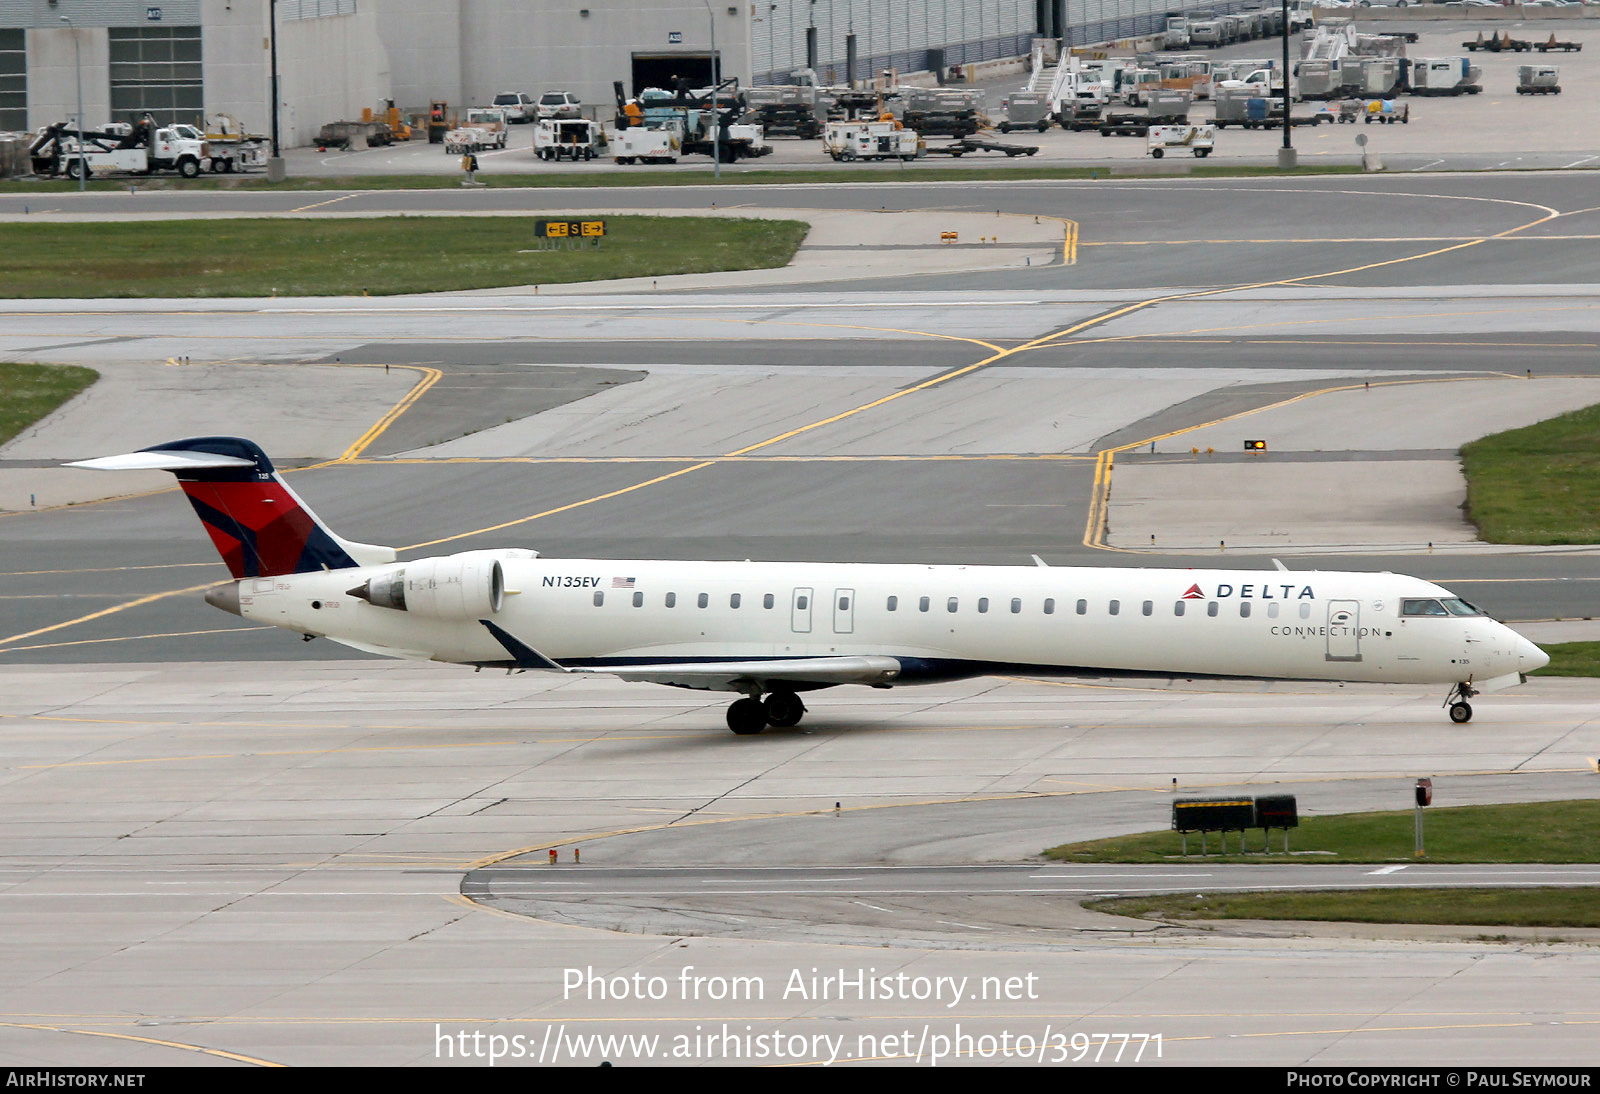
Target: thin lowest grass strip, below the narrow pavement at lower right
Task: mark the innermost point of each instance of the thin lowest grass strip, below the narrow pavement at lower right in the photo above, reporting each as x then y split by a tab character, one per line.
1574	908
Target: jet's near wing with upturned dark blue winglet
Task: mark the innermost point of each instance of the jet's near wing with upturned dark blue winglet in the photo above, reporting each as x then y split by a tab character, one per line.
721	676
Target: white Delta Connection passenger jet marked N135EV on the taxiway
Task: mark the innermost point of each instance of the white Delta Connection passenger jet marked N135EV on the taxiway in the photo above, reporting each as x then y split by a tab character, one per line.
774	631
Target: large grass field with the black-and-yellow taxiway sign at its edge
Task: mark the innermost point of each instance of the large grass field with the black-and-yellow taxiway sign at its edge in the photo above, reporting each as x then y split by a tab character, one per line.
366	255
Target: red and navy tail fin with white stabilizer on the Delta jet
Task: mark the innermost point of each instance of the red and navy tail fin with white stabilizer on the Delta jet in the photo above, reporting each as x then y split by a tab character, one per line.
257	522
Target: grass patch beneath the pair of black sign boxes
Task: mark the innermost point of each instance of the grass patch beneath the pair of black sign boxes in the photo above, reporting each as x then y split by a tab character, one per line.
1524	832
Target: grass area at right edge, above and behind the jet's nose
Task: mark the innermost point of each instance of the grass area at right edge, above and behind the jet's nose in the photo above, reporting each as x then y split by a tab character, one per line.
1538	485
